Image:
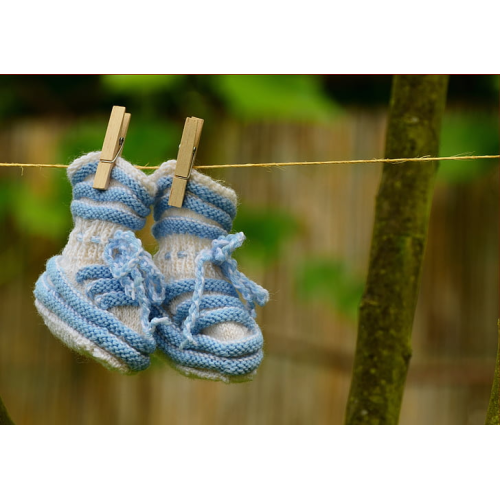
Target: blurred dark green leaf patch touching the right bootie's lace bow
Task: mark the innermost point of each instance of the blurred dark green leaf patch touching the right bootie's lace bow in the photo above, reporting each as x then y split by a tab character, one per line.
267	230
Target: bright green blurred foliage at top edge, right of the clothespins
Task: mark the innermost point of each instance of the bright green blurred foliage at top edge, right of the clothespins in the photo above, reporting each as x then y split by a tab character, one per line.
275	97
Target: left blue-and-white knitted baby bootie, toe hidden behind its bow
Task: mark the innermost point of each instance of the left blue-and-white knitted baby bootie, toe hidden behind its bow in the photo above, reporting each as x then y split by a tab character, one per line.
96	296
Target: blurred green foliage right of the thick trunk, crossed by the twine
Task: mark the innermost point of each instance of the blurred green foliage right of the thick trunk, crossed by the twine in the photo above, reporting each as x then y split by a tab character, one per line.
470	134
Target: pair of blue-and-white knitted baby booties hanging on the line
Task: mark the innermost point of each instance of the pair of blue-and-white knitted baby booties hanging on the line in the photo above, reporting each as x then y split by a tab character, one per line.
107	298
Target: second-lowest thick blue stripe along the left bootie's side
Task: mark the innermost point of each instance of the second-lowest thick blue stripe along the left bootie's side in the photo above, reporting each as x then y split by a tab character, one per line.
93	314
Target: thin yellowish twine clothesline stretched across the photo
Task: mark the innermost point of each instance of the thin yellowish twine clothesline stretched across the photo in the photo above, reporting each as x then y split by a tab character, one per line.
287	164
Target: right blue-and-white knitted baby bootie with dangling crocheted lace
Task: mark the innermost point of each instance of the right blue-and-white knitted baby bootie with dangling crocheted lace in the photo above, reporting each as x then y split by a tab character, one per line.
206	330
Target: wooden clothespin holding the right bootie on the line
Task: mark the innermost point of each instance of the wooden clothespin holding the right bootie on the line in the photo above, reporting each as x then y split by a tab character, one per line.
185	160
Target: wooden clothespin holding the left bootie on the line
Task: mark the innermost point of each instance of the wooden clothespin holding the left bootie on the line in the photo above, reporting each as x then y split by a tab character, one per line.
112	147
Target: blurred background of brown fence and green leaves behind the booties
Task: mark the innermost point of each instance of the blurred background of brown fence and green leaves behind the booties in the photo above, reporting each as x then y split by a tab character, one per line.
308	237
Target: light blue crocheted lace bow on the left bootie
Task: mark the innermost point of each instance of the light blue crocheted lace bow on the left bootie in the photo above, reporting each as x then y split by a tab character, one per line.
136	272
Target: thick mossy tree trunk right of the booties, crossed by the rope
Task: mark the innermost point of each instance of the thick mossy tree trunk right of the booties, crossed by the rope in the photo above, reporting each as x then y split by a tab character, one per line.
402	213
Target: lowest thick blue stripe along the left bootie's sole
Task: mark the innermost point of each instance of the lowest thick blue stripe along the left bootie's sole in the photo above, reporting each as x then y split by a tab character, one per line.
100	336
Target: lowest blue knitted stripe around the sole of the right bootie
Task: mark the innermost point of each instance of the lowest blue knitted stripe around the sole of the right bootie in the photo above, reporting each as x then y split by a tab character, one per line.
204	361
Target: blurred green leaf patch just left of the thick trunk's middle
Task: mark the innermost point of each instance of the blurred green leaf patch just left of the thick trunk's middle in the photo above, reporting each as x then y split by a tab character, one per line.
329	281
